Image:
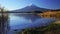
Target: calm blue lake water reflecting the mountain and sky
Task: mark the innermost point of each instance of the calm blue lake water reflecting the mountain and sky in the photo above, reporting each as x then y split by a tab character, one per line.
21	21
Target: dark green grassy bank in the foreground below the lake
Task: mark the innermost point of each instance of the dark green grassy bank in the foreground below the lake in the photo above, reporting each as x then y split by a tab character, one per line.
50	29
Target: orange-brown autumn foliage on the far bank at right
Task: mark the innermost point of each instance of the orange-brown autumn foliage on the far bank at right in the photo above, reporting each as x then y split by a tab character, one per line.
50	14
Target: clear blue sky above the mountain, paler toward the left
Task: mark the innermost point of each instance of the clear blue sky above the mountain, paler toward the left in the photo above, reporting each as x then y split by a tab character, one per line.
18	4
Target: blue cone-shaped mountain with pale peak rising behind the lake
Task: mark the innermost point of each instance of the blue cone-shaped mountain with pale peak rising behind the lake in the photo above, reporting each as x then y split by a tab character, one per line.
30	9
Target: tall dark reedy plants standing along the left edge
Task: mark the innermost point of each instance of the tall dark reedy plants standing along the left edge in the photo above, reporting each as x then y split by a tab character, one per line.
3	21
